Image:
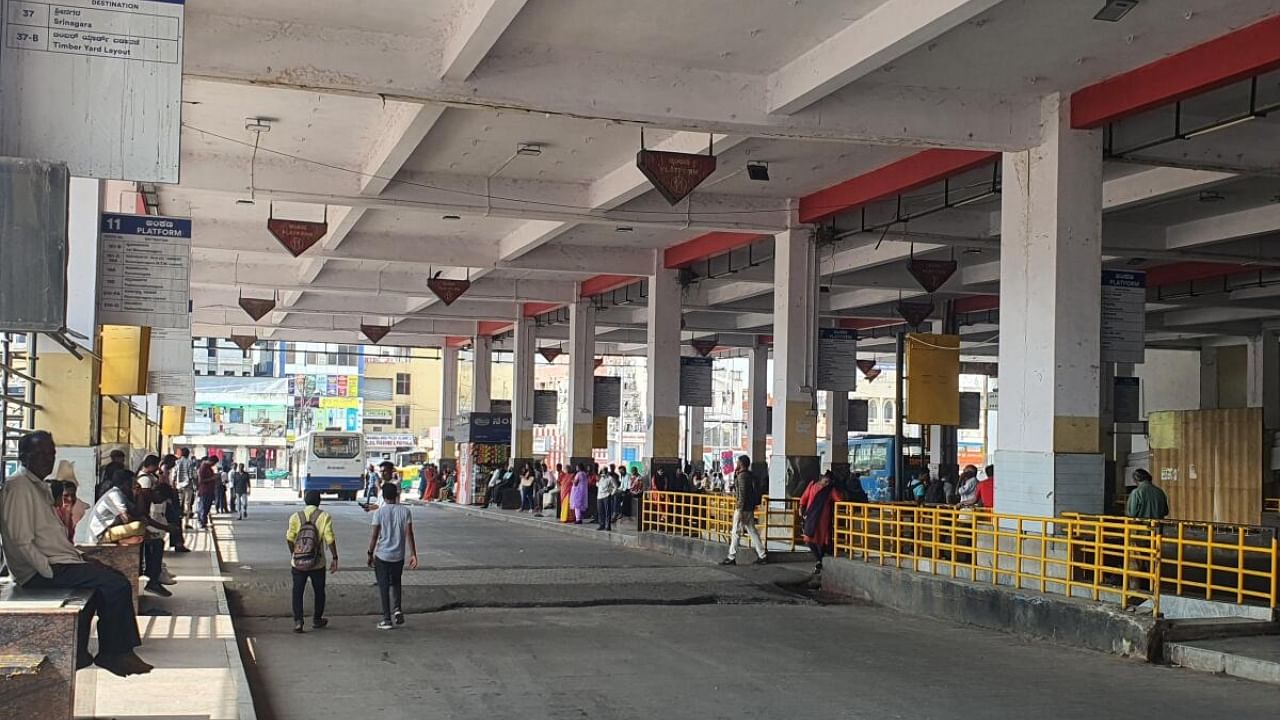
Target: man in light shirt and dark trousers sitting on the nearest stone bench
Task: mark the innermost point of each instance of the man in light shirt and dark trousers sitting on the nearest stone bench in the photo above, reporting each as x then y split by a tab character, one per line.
40	557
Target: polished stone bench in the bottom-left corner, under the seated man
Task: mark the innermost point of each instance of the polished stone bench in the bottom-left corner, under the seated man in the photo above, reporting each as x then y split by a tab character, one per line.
38	651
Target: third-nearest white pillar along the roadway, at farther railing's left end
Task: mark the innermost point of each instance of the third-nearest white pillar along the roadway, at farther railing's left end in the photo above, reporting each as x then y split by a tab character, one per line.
662	441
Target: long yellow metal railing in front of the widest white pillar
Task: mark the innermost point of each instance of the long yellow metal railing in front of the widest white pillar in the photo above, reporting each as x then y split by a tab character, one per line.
1103	559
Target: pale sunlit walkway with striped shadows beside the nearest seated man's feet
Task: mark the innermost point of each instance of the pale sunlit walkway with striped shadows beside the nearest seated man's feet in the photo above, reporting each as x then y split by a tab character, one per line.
190	641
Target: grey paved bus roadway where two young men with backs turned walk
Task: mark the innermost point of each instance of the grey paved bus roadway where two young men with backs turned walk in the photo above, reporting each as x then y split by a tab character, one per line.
537	653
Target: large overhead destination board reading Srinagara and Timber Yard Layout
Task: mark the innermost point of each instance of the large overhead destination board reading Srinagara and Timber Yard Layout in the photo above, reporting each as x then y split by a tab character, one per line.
115	62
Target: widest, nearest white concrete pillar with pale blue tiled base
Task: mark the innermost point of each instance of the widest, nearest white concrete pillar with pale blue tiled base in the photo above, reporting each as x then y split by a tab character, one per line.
1050	458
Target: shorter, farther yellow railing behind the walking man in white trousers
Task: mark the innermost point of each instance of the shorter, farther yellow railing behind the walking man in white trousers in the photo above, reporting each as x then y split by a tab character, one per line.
711	518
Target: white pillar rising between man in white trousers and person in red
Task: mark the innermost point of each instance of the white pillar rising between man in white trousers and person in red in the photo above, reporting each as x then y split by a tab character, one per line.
796	329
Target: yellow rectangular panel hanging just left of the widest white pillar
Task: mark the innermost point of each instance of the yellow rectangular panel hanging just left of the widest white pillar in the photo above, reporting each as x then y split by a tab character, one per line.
934	380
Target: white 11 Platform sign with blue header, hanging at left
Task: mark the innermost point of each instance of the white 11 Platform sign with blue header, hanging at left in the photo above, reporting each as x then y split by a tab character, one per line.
145	271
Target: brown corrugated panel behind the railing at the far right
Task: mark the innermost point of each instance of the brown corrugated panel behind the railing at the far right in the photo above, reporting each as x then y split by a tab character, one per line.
1212	463
